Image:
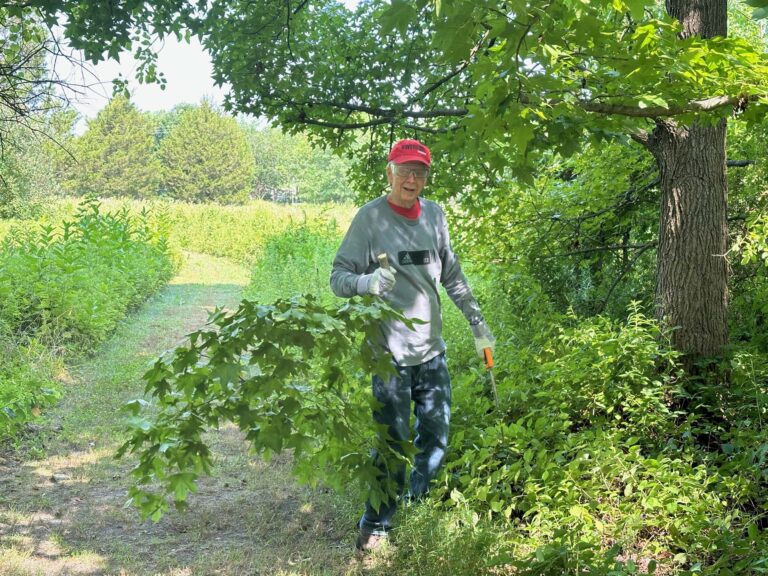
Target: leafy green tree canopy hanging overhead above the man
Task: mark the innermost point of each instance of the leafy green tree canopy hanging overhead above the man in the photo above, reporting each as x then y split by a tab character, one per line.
495	83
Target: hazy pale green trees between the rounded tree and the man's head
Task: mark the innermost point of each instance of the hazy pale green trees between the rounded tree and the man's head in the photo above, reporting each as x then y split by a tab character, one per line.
290	162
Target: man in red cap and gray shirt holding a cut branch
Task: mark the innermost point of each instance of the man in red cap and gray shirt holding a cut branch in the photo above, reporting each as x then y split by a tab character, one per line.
413	233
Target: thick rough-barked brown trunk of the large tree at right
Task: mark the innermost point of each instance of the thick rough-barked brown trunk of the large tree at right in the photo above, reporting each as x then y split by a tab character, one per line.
692	273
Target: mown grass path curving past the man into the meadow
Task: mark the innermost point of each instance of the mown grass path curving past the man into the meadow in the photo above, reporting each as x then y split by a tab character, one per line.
61	506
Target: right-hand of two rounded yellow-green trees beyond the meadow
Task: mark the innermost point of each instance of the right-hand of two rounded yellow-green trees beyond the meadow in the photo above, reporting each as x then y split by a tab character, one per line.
205	158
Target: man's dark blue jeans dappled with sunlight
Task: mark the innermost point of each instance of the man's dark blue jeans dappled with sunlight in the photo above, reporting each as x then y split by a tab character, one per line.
428	386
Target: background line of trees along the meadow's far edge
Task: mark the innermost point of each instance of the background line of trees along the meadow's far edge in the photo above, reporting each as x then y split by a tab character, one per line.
193	153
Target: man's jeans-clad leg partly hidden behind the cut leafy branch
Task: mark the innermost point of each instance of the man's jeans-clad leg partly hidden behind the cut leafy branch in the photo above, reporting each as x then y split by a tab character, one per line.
394	394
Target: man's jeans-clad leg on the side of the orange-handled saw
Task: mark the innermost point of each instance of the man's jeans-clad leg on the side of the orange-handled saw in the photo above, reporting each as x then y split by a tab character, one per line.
432	398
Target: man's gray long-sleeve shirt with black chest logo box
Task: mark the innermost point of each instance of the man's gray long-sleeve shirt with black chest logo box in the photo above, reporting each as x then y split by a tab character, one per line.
420	252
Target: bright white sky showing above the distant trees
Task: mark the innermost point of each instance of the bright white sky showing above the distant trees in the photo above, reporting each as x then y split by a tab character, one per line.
187	70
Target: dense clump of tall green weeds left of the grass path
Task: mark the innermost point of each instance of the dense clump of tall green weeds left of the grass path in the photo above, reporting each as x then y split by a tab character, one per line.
70	287
